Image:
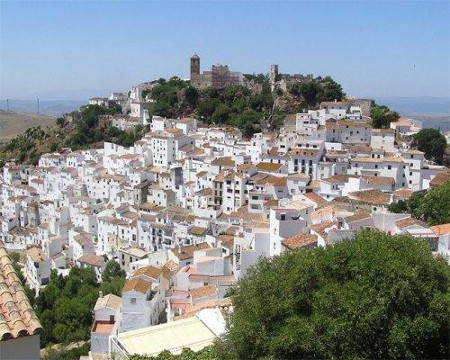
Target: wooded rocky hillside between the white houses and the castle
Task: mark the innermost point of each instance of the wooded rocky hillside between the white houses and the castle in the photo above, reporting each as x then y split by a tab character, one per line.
251	108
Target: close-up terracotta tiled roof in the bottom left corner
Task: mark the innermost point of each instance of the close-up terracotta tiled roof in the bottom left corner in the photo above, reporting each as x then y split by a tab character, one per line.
17	317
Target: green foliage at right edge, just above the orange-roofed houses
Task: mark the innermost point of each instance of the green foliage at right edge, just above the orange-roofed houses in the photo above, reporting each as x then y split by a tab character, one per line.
433	206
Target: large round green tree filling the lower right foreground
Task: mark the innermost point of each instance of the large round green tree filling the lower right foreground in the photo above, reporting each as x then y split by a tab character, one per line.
373	297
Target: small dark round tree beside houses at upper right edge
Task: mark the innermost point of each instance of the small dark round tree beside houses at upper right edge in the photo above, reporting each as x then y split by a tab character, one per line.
432	143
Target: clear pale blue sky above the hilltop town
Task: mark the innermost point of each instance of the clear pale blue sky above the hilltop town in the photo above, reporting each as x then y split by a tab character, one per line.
72	50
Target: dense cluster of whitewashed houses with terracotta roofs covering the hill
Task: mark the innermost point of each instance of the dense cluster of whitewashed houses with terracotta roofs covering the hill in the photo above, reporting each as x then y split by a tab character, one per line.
190	208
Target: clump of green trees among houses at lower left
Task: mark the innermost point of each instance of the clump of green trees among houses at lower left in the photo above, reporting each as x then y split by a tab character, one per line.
65	305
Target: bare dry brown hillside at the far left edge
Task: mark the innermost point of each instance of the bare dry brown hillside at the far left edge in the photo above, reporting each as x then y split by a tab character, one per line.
13	123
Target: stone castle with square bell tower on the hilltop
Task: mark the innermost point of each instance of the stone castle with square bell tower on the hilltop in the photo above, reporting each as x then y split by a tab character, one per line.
219	77
